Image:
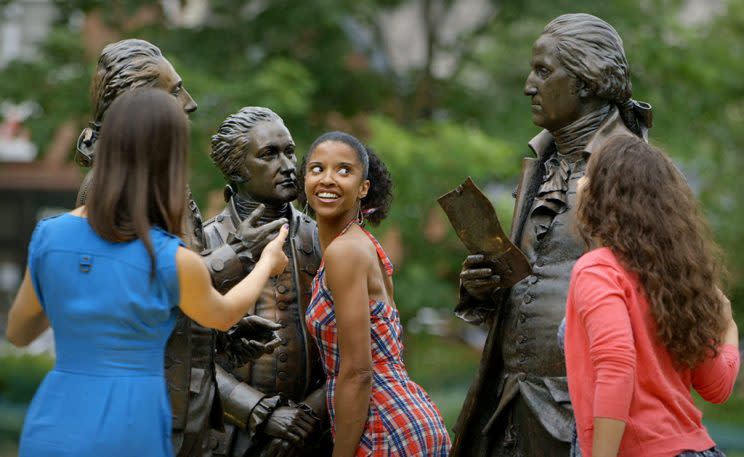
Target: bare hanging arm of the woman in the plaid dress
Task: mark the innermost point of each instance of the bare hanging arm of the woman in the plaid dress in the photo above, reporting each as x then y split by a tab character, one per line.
347	263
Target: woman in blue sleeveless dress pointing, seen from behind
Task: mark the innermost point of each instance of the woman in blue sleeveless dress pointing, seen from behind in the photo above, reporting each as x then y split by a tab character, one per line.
108	277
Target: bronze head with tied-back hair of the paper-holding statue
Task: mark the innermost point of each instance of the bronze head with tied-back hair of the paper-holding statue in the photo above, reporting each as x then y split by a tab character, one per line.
578	66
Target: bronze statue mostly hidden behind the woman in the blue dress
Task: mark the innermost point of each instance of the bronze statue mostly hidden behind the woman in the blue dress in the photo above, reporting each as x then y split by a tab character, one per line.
189	359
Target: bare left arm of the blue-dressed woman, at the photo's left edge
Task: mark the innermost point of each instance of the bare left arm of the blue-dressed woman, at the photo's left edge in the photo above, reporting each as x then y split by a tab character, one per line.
26	318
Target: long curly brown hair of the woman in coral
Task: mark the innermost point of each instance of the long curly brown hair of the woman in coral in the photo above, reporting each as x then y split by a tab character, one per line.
637	203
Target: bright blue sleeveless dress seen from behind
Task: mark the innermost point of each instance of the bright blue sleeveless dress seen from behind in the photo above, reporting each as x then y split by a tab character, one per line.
106	395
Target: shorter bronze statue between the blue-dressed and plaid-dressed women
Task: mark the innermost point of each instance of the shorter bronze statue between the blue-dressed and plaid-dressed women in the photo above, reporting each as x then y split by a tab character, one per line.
274	406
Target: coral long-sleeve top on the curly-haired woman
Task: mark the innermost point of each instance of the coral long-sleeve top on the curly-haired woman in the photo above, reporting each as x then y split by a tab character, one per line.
617	370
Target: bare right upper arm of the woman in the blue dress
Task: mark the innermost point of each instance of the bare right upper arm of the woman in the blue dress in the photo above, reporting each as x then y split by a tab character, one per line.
198	299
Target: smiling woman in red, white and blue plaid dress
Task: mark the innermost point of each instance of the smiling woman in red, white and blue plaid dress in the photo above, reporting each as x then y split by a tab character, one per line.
375	408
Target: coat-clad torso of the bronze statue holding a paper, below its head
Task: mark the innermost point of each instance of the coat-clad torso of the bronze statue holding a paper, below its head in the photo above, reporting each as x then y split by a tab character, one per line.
518	404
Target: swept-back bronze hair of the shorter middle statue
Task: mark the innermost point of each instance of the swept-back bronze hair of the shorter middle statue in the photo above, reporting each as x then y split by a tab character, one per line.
228	144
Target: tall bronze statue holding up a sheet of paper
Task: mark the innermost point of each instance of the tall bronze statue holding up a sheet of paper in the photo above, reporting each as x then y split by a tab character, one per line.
580	93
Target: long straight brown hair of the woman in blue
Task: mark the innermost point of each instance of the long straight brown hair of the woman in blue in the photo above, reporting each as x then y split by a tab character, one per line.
140	169
